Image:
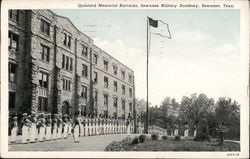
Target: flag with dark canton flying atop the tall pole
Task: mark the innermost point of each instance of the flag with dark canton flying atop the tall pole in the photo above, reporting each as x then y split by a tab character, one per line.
159	28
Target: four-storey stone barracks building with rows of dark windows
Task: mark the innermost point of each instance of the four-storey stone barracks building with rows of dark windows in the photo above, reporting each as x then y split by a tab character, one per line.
51	64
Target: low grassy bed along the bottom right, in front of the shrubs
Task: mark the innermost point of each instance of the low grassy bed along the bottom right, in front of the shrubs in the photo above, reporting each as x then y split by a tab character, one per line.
183	145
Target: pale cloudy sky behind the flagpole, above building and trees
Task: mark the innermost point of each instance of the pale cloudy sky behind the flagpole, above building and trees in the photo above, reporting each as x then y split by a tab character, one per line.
203	55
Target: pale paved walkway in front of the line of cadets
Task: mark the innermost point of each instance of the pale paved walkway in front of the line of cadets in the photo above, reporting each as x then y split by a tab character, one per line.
89	143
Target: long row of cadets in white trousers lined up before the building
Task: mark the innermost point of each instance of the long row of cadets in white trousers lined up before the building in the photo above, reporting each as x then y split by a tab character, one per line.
36	128
